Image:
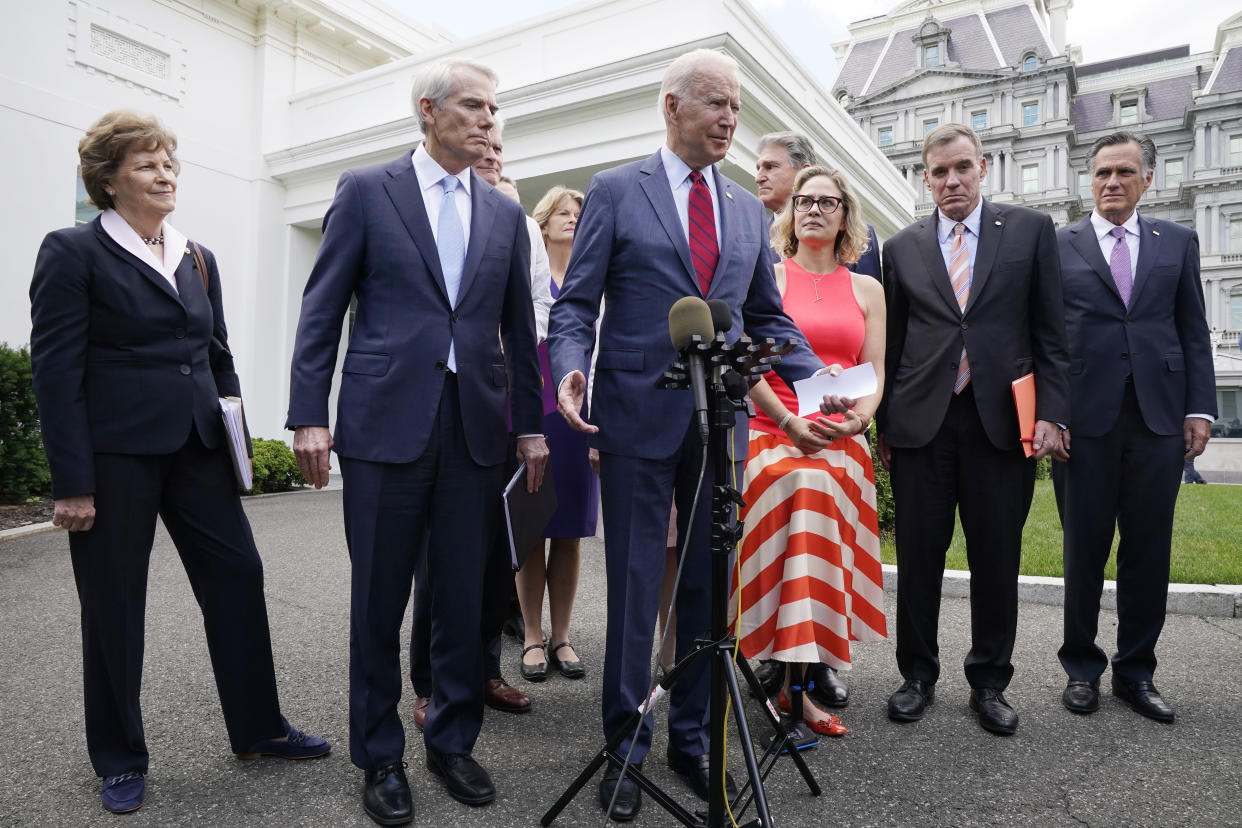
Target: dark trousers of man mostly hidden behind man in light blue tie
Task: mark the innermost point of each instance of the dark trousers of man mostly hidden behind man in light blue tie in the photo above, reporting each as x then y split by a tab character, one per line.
500	595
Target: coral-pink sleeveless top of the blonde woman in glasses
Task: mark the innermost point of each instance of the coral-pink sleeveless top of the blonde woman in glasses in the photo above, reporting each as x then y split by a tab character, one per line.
828	313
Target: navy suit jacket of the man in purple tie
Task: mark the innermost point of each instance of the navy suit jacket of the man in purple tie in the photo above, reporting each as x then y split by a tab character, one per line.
1163	336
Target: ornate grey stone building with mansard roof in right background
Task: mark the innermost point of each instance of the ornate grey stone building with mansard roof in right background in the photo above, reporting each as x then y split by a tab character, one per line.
1005	69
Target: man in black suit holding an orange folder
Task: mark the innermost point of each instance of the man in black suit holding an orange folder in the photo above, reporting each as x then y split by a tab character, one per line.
974	302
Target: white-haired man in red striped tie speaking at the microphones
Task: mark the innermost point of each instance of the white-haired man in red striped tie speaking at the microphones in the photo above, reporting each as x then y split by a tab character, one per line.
653	233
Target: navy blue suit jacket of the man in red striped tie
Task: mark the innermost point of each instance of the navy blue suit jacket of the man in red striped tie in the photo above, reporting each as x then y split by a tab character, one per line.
632	251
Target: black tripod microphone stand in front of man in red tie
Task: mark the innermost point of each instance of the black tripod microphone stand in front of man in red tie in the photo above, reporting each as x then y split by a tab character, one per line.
727	395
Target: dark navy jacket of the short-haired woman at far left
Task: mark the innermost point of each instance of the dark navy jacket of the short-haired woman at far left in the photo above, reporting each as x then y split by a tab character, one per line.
121	359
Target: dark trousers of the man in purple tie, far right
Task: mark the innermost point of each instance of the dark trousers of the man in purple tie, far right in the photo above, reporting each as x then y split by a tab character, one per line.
1127	482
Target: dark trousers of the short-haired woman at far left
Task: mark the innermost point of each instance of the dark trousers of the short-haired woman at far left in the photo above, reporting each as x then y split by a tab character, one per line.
196	493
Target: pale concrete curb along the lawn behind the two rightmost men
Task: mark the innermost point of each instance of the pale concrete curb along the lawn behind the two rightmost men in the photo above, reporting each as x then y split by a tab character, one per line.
1219	601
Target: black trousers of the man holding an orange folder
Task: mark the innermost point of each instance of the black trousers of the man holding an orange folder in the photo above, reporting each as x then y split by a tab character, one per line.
961	471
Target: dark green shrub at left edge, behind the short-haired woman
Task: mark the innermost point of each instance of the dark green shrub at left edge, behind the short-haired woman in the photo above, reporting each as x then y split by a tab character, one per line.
23	464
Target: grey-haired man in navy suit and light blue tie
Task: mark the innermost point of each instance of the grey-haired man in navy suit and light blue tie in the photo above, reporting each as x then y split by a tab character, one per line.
439	265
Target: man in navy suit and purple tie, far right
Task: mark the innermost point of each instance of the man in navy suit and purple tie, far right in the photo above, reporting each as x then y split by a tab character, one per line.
1145	399
